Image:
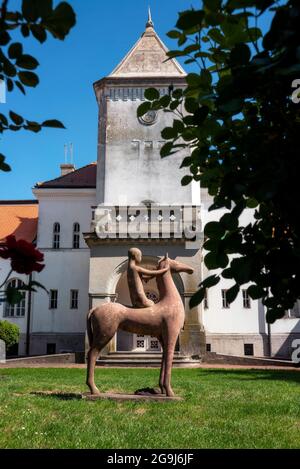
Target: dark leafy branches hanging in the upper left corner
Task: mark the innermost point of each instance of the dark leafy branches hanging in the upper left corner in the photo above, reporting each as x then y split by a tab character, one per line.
37	18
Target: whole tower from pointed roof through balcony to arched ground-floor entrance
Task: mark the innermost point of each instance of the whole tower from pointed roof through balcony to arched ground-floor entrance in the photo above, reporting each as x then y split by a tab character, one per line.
132	178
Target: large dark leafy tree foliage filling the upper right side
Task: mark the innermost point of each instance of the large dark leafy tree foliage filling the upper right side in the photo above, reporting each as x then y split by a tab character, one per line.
241	128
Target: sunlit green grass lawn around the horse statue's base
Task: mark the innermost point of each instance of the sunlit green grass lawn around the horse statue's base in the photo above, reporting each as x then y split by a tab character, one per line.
221	409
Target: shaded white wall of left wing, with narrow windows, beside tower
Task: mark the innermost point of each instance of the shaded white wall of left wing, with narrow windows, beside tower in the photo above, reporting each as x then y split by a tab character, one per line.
66	268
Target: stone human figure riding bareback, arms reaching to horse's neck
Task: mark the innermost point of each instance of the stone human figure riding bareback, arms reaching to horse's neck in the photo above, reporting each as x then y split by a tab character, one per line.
135	273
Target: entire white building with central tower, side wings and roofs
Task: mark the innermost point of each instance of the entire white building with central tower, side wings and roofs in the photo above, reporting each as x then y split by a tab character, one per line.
83	269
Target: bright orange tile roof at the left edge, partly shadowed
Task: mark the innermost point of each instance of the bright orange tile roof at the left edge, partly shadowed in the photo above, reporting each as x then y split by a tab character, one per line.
19	219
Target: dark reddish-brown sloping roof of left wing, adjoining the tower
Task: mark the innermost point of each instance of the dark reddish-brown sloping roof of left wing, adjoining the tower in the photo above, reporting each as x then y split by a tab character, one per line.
84	177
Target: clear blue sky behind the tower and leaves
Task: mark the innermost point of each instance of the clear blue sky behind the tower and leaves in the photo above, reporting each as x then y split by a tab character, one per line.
104	33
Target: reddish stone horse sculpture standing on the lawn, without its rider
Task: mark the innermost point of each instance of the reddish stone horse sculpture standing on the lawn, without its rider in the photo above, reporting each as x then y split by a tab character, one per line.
163	320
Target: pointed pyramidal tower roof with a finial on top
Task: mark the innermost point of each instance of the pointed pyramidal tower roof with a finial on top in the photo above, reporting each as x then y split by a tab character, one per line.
148	58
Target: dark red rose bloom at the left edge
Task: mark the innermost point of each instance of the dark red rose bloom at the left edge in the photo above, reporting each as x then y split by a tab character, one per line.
25	258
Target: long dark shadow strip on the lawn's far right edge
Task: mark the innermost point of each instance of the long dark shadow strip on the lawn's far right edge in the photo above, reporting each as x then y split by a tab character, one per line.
254	375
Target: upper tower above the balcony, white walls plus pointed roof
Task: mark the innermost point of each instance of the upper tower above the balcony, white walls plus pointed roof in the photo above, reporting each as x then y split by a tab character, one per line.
129	162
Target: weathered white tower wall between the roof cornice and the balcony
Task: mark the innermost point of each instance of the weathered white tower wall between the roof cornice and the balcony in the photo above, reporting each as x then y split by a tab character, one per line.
132	169
